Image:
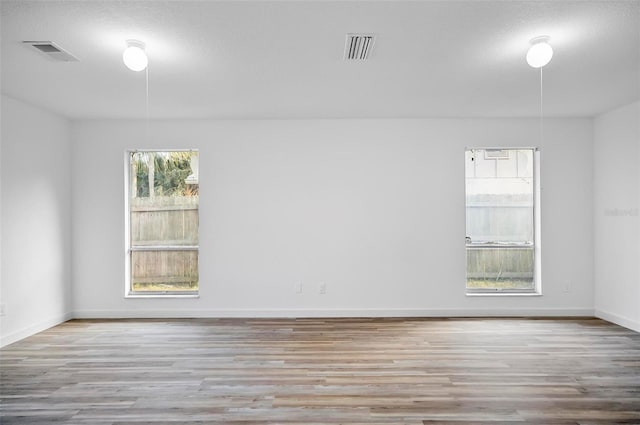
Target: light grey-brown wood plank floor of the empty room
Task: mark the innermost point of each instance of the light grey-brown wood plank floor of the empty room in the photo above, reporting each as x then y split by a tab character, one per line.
324	371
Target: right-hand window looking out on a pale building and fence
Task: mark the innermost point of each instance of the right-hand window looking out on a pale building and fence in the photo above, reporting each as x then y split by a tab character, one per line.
502	221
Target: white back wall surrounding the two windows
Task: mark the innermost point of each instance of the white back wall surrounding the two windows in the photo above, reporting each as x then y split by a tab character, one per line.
372	208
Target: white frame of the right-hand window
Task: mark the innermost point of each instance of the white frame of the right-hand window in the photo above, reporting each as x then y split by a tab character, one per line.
537	240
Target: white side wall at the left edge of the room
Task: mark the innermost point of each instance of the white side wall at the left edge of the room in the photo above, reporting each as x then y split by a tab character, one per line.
36	225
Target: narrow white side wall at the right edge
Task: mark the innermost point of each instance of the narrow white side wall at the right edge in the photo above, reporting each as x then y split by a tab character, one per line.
616	203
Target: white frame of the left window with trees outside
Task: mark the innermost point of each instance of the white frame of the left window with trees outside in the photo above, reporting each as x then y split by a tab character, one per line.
128	293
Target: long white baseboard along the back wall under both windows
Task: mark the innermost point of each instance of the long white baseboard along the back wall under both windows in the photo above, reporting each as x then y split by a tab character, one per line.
310	313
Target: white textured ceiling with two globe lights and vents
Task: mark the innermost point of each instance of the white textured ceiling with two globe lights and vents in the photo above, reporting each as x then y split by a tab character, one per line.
268	59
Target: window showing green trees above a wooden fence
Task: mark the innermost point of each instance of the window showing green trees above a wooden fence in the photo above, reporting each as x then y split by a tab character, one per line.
162	223
